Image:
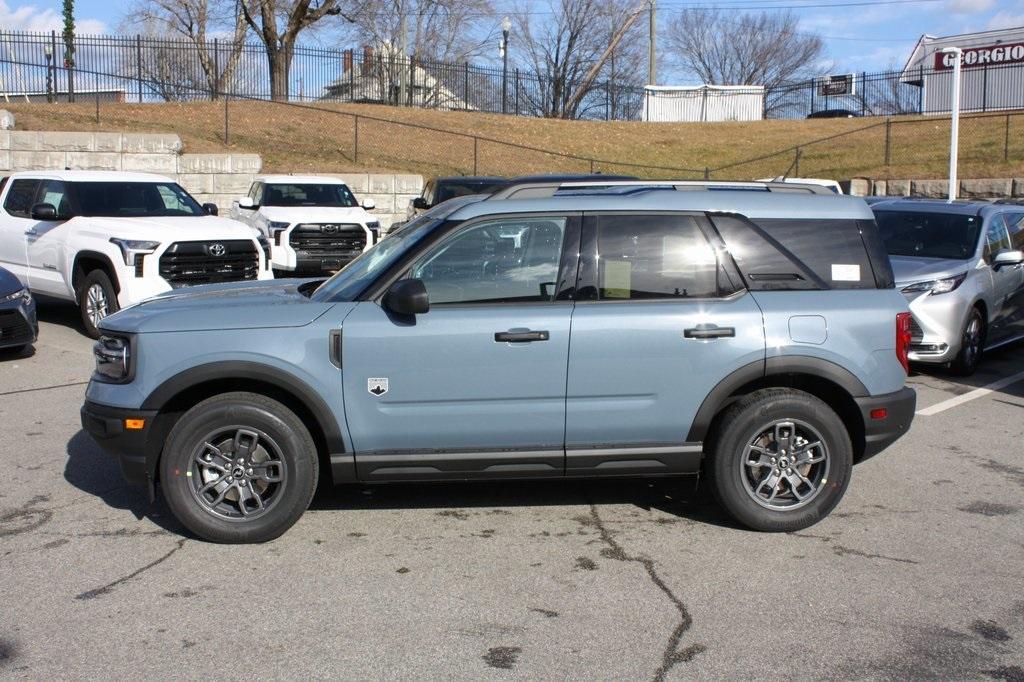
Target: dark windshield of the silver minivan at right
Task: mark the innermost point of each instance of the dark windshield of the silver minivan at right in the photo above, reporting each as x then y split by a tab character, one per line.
924	235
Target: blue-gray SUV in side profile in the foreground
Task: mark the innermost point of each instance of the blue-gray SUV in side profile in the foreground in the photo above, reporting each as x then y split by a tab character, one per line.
749	332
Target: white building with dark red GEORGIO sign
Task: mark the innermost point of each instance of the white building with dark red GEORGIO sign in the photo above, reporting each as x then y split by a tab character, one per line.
993	71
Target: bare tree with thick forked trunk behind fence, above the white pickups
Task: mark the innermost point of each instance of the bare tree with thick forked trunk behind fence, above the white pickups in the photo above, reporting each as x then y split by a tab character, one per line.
279	41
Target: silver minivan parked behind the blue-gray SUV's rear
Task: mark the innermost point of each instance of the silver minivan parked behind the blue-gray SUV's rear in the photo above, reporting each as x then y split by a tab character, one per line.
959	266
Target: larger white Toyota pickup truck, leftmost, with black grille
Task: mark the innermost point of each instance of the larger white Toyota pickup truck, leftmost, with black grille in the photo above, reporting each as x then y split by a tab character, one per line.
107	240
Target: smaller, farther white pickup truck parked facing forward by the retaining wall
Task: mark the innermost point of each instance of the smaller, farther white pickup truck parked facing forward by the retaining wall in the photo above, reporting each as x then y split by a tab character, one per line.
315	224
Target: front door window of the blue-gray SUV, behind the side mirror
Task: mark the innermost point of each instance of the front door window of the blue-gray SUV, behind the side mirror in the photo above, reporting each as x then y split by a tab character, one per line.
509	261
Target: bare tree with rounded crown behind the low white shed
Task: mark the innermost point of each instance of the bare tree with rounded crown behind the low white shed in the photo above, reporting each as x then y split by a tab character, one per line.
761	49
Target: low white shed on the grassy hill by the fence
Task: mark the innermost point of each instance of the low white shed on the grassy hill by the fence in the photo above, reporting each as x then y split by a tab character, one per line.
704	103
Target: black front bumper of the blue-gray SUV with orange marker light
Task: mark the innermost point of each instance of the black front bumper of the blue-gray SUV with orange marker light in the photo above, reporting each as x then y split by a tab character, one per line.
107	425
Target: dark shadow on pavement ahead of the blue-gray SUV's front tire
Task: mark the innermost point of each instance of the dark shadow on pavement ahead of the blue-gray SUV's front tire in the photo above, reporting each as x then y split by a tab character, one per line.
94	472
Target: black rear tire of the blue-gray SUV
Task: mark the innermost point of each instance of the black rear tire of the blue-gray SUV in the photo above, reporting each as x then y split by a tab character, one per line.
733	481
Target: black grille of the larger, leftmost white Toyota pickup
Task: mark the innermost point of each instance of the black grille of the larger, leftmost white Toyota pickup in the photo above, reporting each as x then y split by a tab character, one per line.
188	264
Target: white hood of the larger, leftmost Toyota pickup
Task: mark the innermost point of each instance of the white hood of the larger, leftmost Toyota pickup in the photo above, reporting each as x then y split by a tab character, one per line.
175	229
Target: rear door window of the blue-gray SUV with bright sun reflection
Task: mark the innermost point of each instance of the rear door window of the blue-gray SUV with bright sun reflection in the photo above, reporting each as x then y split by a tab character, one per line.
656	257
